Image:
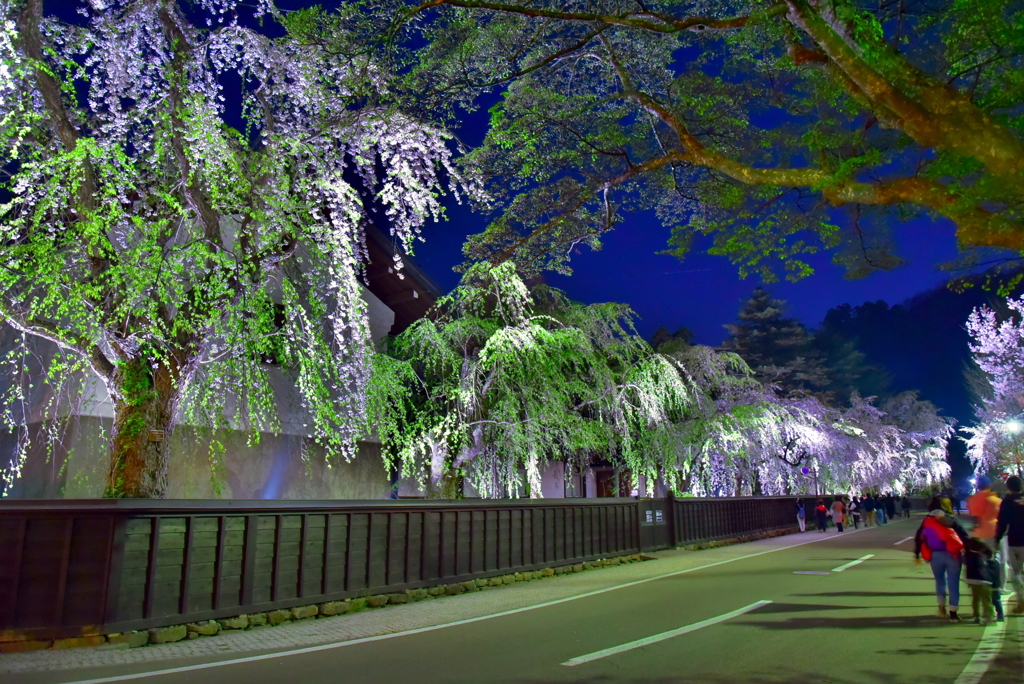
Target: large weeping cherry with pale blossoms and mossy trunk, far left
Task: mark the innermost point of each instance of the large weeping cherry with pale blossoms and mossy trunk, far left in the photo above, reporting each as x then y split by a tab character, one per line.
178	250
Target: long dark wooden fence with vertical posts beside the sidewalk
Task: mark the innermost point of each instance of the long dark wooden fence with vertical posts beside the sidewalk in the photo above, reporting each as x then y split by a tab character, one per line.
72	569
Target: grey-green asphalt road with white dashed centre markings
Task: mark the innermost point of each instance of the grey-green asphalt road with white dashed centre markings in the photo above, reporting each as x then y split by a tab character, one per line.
873	622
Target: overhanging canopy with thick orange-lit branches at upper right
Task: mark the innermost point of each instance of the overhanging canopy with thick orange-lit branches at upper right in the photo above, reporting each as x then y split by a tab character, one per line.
777	129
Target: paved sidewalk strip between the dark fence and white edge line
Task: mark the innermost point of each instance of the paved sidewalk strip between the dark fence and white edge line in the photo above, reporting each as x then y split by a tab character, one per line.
391	620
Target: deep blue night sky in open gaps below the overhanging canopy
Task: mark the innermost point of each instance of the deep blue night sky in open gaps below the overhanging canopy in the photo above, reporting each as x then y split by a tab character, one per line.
704	292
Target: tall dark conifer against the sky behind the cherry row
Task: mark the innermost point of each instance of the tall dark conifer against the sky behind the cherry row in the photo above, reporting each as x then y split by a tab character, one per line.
780	351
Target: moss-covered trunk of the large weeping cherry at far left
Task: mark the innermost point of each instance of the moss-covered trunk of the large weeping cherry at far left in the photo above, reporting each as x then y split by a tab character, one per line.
144	421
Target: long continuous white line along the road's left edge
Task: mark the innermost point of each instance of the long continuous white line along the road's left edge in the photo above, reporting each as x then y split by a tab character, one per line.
354	643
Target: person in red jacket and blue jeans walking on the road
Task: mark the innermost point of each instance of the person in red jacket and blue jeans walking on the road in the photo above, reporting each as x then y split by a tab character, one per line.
941	546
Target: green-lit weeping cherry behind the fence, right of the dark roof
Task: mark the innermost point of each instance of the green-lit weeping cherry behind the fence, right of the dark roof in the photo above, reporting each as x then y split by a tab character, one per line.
498	380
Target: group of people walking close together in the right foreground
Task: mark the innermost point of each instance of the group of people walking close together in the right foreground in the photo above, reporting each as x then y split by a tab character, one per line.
949	548
